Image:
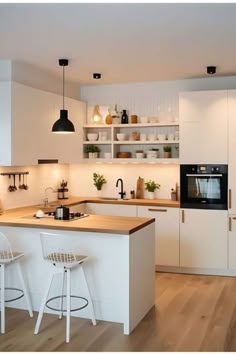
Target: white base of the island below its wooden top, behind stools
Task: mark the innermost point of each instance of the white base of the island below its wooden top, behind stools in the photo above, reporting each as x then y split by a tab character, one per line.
120	272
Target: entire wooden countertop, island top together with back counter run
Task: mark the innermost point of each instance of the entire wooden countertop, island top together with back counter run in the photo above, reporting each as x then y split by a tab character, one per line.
23	217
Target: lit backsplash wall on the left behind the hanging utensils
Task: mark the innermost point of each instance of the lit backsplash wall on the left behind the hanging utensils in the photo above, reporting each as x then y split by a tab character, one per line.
39	178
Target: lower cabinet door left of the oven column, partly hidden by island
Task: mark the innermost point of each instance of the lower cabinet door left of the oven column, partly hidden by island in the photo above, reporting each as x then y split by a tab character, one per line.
166	235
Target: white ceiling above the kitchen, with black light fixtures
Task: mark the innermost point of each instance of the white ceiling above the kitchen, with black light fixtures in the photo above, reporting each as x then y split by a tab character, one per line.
125	42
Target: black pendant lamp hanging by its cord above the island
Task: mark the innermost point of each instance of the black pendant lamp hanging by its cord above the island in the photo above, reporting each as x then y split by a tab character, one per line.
63	125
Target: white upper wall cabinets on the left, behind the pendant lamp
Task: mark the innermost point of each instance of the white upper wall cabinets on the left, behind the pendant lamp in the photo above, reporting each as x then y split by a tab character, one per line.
27	116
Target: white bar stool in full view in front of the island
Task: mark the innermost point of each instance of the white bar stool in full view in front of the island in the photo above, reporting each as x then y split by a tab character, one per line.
55	250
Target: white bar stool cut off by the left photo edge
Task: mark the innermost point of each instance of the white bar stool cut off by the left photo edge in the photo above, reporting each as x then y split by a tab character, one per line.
7	257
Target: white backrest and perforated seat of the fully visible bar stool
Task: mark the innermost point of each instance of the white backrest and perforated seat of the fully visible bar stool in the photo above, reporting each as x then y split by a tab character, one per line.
55	249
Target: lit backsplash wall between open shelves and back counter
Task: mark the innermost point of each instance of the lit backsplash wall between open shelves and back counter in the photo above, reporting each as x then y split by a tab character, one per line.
81	178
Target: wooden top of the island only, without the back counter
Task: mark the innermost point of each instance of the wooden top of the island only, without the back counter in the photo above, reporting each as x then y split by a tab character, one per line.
23	217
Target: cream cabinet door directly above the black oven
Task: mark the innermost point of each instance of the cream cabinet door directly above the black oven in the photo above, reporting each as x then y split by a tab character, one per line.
203	127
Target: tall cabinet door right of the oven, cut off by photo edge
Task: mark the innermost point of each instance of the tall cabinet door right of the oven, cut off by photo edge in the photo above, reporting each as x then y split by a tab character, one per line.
232	150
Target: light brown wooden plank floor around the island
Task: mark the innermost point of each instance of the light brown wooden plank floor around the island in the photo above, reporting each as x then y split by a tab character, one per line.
192	313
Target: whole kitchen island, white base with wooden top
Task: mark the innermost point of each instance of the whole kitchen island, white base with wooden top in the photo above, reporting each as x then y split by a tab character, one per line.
120	271
